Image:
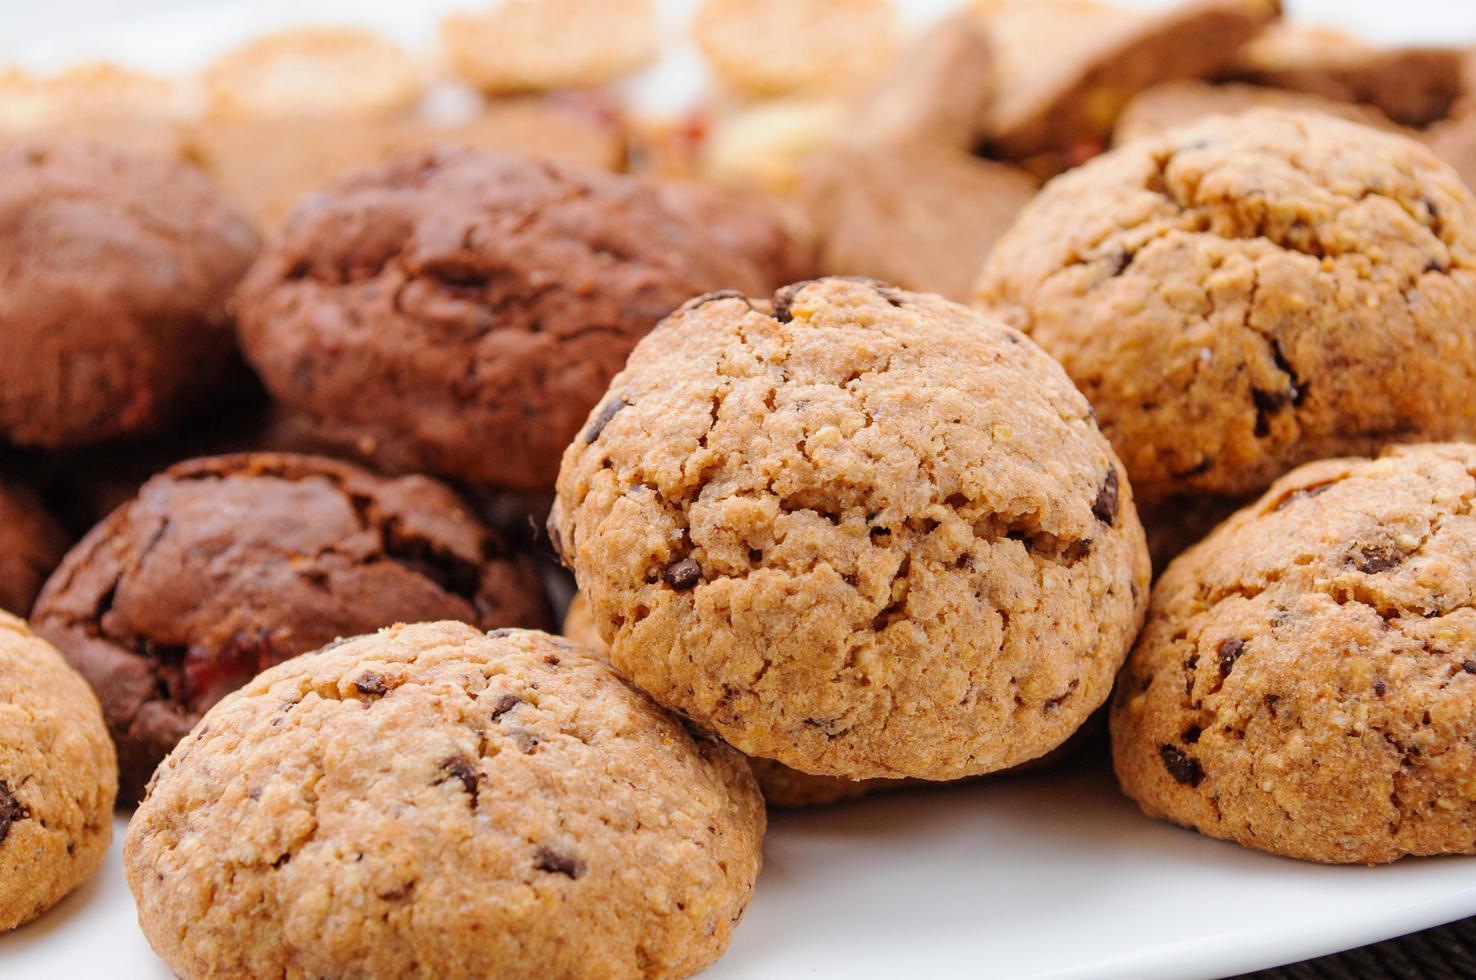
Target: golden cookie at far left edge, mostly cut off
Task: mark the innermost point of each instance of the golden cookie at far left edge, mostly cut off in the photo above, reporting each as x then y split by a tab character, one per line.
58	777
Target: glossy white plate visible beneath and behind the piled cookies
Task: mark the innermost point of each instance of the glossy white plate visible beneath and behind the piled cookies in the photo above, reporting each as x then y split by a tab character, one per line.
1050	874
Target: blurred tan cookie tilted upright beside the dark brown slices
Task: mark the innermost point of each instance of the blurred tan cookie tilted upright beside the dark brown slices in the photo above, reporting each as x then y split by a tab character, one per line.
937	91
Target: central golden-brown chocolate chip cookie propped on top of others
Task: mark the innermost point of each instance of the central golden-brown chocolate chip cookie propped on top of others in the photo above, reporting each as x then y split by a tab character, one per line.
860	531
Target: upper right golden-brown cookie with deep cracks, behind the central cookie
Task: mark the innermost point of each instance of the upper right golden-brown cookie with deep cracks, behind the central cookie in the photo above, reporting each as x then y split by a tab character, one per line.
1246	294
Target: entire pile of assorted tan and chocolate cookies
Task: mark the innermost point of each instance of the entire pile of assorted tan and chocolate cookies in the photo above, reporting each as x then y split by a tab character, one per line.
861	445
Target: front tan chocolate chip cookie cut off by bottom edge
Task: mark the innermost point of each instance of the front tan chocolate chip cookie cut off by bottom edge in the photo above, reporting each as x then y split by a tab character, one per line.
436	801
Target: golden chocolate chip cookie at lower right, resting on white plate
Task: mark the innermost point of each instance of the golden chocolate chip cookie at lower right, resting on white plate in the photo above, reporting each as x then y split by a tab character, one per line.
1307	680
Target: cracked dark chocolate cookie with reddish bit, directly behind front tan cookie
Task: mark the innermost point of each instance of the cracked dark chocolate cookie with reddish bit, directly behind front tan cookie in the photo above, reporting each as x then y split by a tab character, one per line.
224	567
